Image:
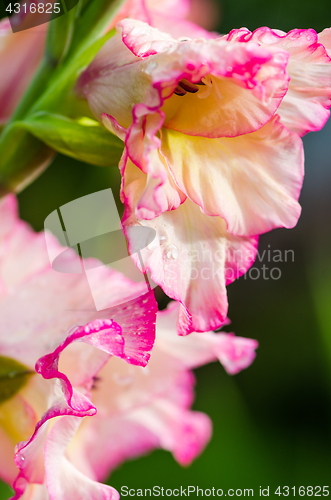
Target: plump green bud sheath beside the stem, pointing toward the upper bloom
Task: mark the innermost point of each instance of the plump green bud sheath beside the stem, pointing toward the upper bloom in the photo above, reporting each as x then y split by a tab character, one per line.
84	139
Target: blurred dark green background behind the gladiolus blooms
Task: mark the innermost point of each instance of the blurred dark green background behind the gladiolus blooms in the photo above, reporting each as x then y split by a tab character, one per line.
272	422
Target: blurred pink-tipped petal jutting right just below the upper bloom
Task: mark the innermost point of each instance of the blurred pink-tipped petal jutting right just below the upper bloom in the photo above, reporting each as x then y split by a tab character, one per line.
197	349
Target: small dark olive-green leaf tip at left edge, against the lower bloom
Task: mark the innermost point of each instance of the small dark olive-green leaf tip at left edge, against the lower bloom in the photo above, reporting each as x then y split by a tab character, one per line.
13	376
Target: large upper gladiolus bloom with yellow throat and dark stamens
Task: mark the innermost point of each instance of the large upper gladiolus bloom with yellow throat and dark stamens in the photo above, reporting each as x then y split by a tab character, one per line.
207	162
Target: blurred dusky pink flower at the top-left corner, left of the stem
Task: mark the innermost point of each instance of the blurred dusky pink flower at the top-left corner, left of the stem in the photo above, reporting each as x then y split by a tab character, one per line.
20	55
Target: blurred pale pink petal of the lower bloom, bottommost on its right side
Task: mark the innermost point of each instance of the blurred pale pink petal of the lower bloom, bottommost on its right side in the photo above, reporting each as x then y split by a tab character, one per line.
162	421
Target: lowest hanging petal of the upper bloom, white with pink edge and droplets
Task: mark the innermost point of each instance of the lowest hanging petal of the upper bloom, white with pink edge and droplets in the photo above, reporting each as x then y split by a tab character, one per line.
195	259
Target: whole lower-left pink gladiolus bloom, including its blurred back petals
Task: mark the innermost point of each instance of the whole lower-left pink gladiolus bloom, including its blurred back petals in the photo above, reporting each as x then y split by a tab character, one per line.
93	403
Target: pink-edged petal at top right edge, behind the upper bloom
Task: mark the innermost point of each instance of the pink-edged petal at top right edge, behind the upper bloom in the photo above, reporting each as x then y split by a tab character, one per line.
305	107
